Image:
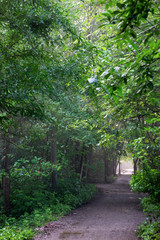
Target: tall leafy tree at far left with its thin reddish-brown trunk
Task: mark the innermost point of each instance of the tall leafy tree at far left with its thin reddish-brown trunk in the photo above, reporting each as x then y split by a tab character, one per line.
30	31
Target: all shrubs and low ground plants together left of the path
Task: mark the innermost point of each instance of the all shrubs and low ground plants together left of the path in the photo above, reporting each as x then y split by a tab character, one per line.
33	202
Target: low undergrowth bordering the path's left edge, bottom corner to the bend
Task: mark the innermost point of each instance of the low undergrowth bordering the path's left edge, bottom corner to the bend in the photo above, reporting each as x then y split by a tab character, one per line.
69	195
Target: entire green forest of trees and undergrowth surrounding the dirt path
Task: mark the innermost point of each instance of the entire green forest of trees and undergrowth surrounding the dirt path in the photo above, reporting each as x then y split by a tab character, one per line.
79	89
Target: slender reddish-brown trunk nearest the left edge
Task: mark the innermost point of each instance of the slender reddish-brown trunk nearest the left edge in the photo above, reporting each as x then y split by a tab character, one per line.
7	179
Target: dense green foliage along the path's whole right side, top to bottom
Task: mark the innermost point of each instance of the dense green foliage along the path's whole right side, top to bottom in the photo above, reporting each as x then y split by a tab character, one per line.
132	80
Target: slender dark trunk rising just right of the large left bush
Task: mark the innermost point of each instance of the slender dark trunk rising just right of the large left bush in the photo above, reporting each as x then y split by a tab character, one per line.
53	159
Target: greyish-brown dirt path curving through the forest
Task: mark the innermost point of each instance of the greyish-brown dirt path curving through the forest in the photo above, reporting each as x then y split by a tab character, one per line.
112	215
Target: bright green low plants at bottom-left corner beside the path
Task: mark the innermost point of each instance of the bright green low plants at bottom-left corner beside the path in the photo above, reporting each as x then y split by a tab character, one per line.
23	227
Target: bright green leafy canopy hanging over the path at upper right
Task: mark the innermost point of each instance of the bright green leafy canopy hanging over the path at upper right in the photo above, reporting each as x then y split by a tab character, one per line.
133	77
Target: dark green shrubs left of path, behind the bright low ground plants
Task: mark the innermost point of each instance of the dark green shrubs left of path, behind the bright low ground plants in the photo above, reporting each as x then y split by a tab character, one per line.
30	190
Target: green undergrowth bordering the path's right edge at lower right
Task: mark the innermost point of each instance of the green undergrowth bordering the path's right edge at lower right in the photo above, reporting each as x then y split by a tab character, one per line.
148	181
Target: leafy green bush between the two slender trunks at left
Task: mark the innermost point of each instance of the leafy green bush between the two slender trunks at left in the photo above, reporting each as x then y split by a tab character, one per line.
29	186
